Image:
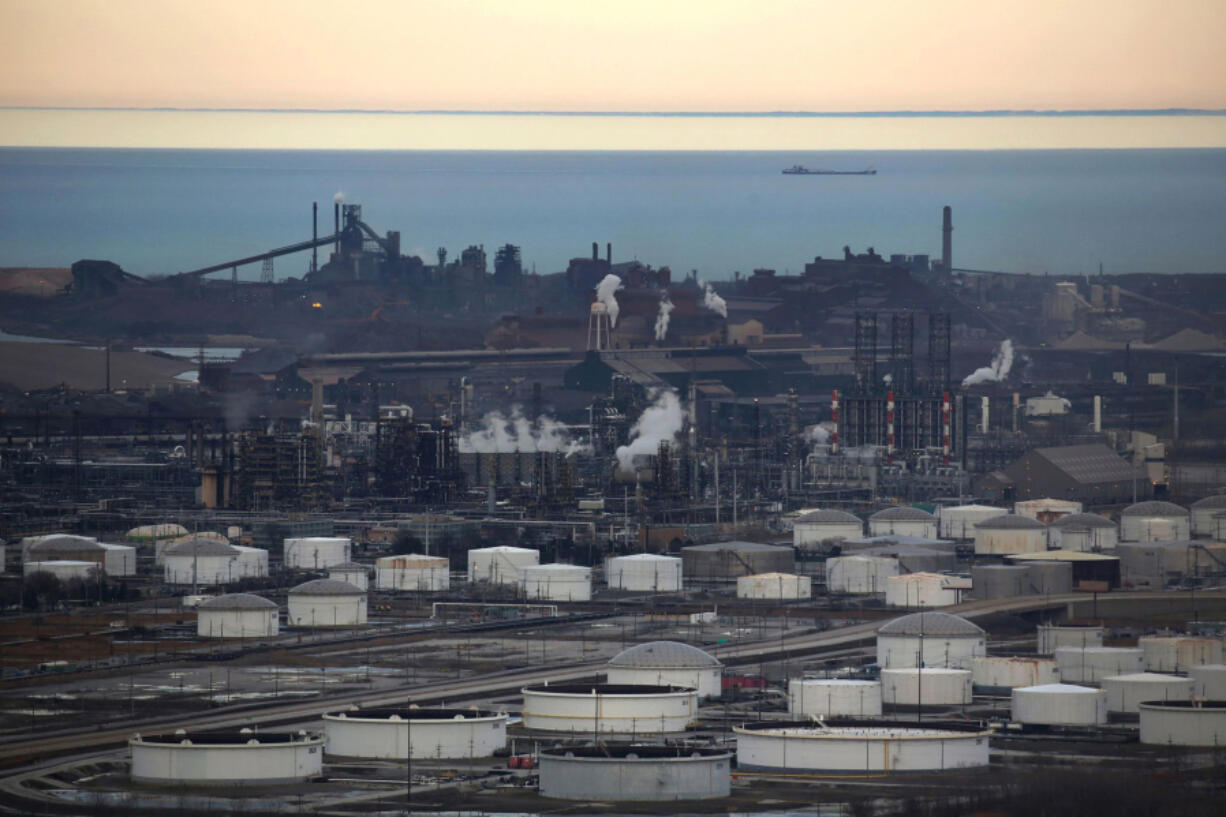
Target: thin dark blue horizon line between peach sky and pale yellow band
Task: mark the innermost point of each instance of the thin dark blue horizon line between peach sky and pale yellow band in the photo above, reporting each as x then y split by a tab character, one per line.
698	115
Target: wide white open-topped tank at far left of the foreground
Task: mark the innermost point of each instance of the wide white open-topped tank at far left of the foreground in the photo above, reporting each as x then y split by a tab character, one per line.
230	759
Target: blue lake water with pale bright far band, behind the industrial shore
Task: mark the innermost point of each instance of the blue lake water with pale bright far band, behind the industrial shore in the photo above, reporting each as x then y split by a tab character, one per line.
1130	193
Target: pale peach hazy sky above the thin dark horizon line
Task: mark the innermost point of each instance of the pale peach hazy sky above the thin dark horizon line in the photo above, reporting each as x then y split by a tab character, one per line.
617	56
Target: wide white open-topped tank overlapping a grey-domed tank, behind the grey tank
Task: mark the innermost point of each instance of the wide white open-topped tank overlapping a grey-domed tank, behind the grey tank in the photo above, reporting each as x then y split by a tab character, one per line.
609	708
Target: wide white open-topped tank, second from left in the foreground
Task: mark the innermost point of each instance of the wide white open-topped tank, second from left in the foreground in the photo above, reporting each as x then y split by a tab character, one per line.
382	734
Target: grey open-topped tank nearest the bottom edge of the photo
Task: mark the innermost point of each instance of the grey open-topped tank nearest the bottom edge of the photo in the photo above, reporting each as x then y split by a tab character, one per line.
612	772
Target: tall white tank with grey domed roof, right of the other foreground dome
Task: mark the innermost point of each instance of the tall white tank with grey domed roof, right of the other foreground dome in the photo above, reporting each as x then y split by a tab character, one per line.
947	641
